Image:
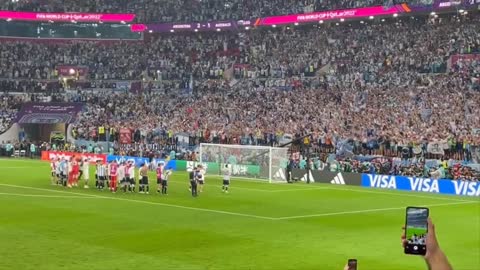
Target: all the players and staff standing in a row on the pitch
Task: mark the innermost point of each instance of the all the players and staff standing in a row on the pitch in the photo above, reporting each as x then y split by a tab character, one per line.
67	173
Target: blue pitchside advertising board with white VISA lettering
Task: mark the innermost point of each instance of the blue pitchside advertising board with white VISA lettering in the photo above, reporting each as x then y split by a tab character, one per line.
443	186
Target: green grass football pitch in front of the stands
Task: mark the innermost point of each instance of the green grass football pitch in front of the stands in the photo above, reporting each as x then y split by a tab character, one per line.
256	226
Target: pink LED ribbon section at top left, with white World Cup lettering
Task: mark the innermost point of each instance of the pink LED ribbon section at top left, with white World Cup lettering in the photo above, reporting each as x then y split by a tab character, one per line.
66	17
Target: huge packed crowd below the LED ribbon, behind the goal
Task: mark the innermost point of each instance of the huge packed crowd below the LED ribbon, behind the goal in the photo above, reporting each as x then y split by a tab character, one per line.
384	86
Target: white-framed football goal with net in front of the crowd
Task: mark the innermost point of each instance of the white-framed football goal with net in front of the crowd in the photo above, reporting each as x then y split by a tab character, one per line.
246	161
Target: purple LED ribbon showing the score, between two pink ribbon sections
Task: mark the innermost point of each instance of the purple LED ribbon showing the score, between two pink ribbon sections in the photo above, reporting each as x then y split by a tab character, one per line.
198	26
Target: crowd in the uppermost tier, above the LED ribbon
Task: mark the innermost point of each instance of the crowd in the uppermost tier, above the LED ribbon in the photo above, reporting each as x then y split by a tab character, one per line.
188	10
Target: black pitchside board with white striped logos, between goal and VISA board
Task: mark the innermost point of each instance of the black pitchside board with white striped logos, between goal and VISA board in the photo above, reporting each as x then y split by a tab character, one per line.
327	177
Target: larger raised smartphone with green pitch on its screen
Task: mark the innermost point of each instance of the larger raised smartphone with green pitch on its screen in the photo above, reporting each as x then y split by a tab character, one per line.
416	228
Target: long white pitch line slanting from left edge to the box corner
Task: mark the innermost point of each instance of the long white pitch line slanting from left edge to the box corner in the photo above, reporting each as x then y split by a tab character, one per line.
148	202
